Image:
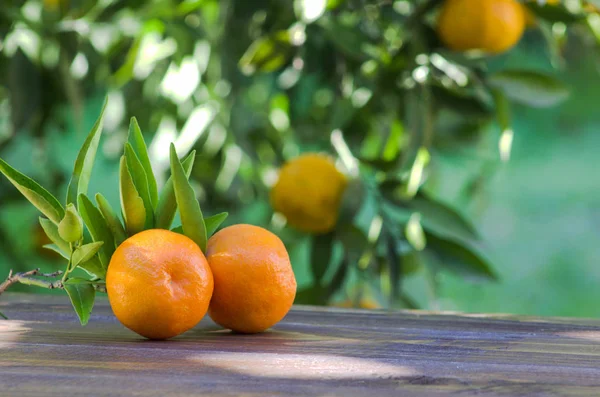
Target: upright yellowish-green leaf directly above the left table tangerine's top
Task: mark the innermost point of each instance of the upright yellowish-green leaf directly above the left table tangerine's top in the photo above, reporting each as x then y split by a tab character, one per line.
132	204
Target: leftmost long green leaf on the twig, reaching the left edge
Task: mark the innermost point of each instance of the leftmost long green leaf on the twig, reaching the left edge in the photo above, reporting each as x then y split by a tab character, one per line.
36	194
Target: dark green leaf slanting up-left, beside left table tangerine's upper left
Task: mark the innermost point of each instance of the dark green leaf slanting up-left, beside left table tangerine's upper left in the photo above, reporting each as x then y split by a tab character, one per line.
98	229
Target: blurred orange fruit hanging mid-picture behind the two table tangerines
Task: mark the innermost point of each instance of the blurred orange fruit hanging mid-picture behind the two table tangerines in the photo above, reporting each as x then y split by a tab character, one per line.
309	193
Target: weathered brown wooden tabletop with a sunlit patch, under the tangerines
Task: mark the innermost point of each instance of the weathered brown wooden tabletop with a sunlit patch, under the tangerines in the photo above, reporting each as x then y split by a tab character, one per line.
314	351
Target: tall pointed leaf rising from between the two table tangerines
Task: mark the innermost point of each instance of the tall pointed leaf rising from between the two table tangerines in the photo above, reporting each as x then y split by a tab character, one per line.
189	208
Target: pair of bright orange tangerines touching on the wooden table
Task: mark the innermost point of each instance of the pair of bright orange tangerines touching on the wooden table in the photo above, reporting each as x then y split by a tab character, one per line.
160	284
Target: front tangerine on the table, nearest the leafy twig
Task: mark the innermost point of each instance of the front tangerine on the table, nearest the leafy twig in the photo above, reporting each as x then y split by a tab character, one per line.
159	284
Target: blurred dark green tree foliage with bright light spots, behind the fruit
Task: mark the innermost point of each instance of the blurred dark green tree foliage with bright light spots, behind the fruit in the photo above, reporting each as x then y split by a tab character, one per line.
253	84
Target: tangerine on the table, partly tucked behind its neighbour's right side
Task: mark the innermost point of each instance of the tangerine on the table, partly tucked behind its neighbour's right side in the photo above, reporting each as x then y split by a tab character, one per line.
255	285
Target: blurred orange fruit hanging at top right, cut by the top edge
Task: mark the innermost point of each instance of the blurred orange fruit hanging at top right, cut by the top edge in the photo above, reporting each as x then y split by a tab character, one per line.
492	26
